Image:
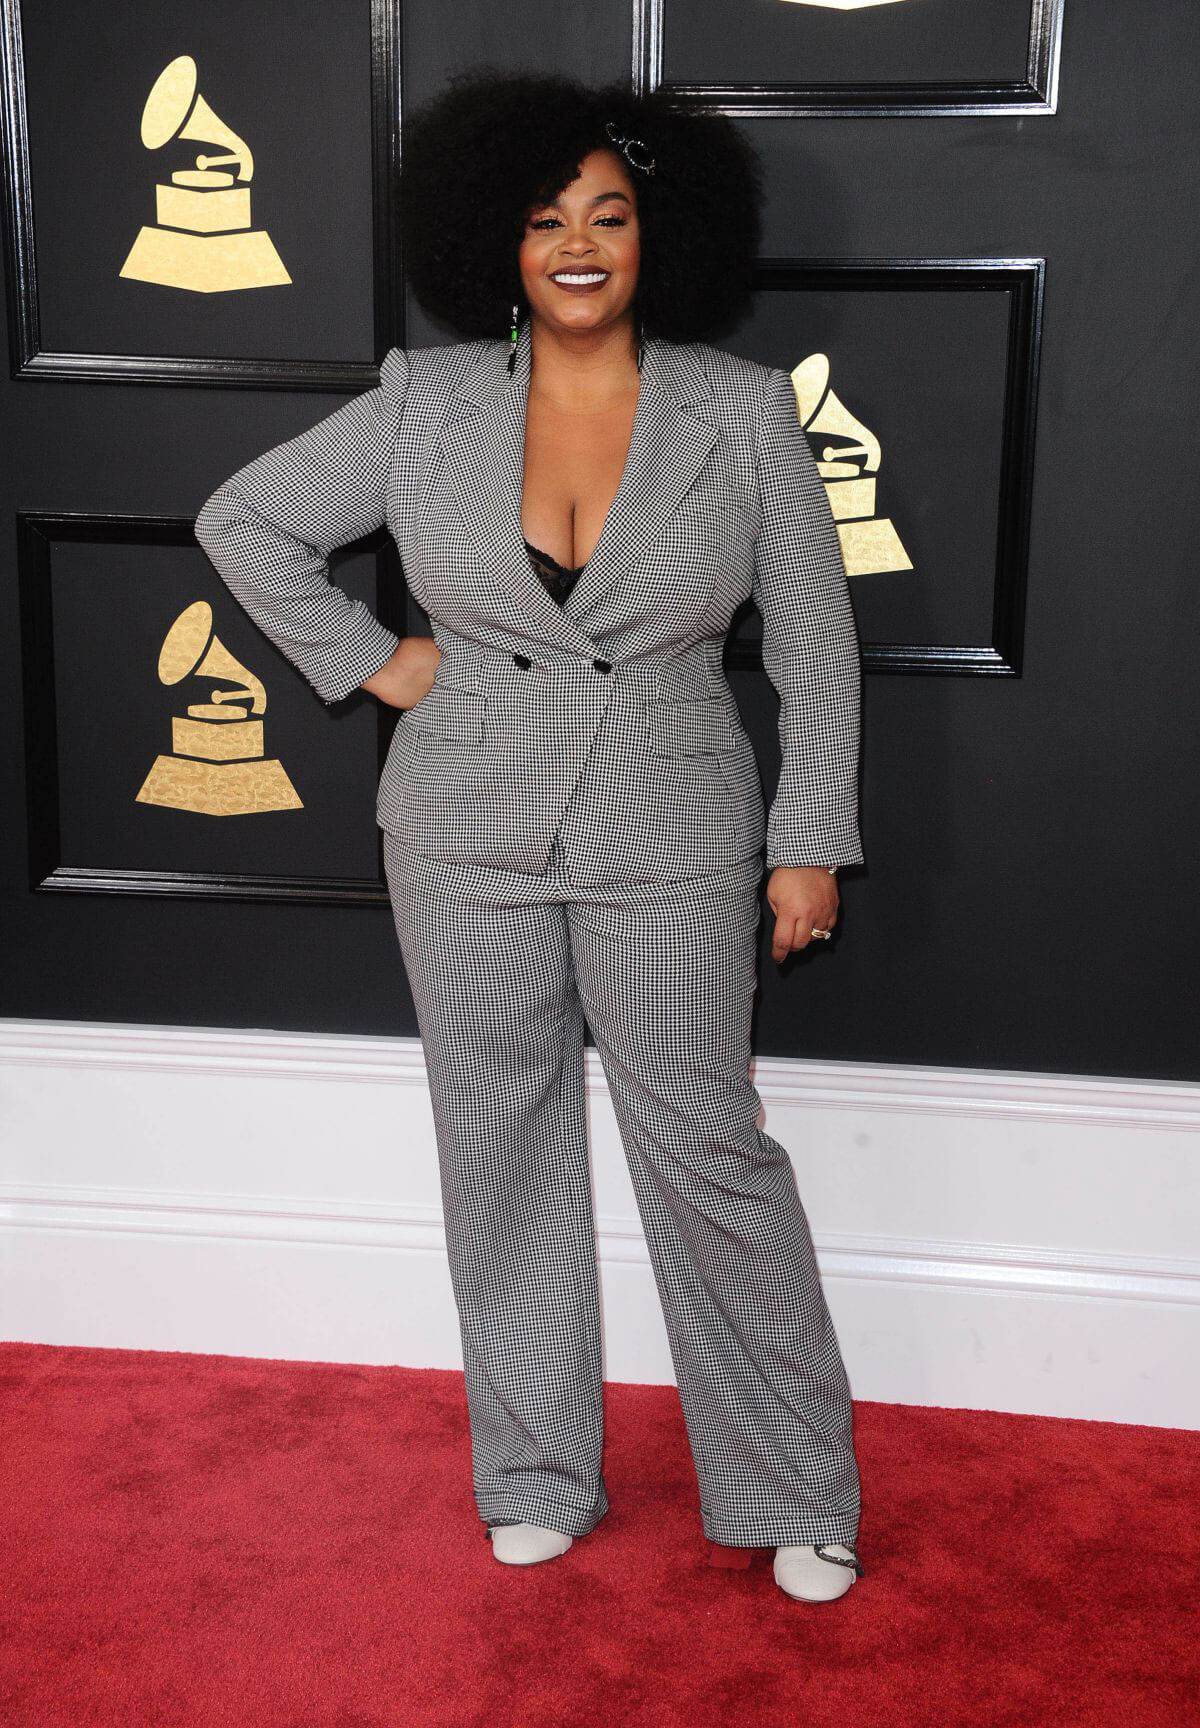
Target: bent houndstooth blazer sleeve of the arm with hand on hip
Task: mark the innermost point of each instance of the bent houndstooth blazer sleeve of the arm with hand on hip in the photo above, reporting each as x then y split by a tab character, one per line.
271	530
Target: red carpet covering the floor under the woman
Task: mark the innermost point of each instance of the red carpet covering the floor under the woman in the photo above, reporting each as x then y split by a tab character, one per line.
214	1541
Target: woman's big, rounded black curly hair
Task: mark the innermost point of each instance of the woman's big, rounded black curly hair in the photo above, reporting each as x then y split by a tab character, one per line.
497	144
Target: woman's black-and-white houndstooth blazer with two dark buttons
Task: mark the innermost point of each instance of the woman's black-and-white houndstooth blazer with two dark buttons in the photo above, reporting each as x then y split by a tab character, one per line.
610	716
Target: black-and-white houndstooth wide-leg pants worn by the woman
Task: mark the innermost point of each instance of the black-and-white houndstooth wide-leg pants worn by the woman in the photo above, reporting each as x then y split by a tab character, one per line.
504	970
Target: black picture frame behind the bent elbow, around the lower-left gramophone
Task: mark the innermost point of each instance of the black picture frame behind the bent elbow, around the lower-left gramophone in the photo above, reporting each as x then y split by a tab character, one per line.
48	870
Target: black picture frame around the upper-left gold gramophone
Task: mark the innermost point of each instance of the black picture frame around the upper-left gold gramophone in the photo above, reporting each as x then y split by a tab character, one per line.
30	360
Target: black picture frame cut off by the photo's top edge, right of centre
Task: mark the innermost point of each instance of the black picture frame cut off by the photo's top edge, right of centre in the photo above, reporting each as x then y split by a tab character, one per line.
1033	94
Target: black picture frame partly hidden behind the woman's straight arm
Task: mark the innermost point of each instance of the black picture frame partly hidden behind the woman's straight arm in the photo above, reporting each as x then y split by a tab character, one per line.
1023	281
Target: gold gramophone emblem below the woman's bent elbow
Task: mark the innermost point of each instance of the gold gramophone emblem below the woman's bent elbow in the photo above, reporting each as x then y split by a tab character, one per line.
217	763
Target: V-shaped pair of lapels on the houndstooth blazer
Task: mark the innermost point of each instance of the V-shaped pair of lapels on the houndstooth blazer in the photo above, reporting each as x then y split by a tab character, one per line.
485	457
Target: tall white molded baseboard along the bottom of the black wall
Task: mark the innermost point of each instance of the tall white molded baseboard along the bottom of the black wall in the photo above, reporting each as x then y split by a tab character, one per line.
988	1240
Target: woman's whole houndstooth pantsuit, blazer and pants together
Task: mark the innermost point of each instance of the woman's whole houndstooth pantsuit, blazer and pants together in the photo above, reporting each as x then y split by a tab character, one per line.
573	829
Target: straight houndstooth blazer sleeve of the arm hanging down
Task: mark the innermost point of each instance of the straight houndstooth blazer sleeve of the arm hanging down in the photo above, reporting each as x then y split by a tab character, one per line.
810	645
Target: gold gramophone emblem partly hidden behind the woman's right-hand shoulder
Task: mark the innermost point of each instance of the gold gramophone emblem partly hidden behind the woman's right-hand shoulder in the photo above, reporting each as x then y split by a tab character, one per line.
871	545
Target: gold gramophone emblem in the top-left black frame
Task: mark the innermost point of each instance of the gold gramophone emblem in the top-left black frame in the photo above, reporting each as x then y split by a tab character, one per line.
203	238
